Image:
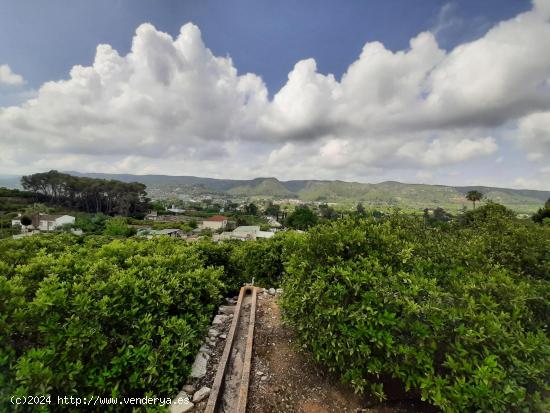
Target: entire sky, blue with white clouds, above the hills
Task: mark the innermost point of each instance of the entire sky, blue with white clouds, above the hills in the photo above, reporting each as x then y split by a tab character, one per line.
430	91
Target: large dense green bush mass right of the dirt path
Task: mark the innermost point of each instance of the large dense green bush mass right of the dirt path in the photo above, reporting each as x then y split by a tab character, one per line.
457	312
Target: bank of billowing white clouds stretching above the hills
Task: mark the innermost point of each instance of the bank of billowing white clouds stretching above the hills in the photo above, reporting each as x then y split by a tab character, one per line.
171	106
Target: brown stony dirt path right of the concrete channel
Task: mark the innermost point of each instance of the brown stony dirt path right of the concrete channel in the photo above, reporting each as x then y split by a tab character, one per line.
284	380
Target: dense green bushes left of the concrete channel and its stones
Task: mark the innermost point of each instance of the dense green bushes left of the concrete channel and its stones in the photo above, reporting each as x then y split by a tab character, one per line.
101	317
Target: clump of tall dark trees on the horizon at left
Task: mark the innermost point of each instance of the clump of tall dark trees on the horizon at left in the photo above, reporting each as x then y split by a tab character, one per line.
88	194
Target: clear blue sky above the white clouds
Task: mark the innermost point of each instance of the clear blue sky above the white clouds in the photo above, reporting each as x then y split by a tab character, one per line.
42	40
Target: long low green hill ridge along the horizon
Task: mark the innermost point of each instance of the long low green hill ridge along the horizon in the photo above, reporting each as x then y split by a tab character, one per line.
384	194
